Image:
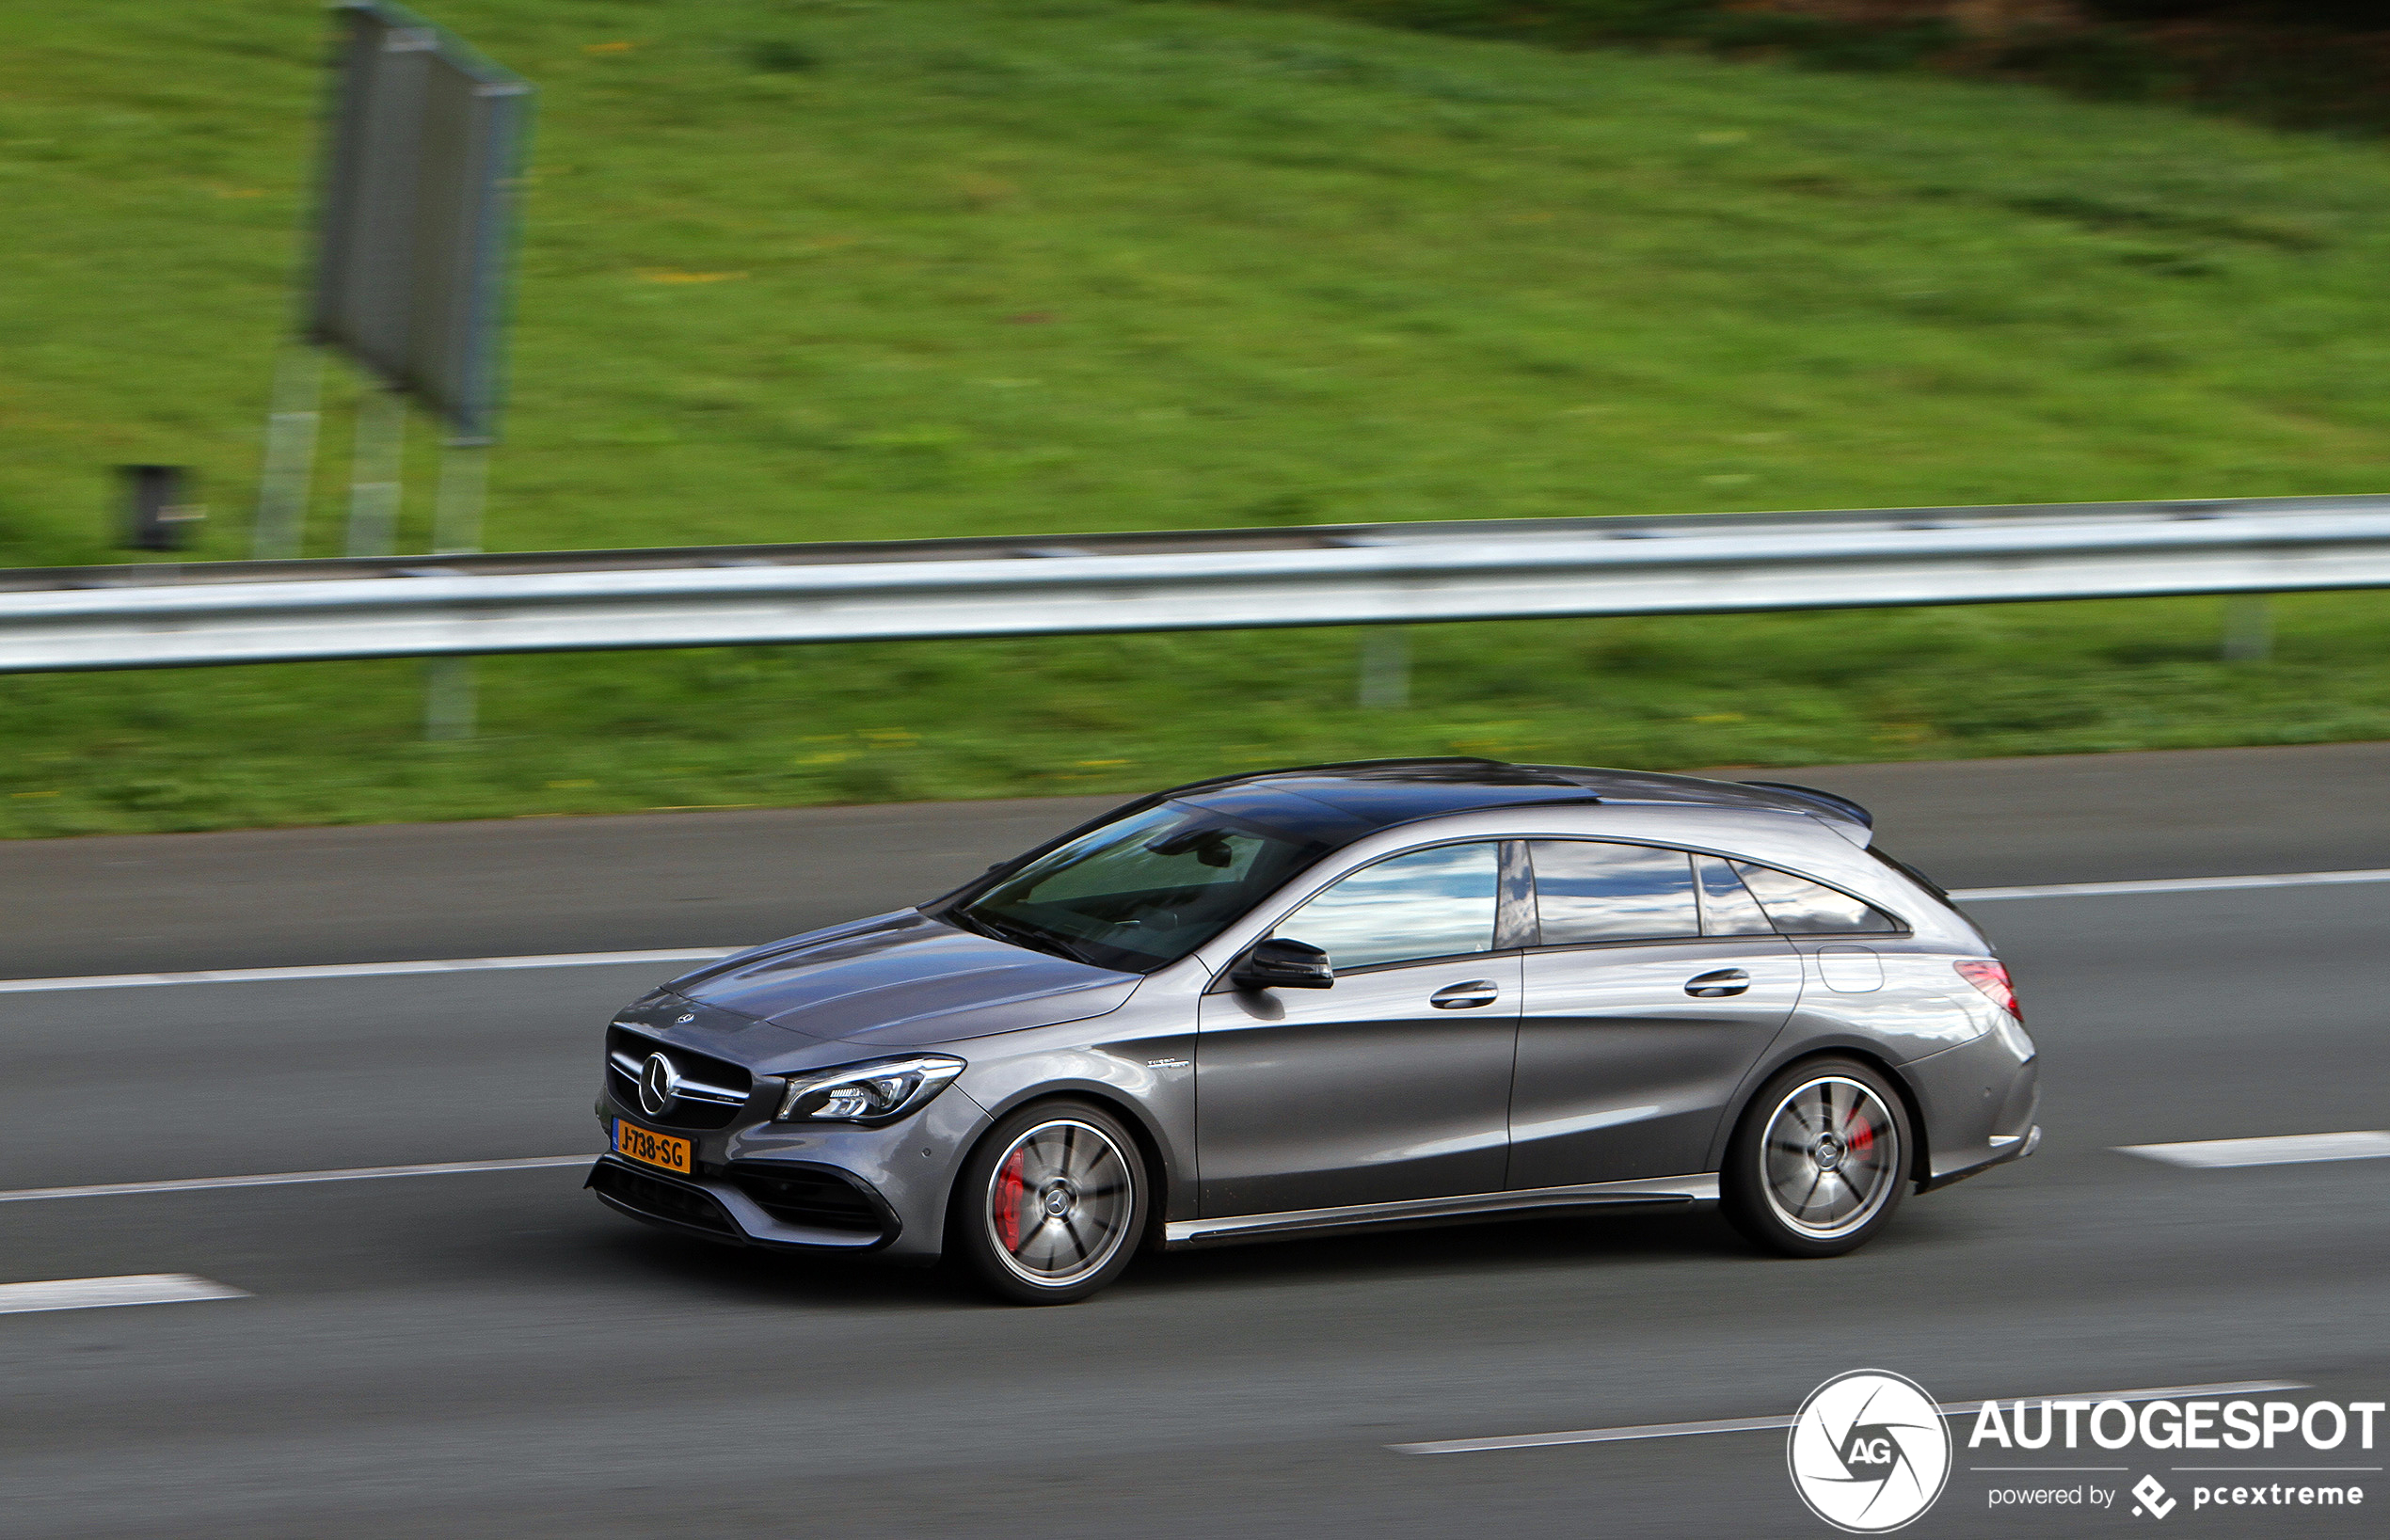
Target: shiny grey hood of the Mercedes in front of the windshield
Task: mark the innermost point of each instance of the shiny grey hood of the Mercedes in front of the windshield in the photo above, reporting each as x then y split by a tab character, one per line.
905	982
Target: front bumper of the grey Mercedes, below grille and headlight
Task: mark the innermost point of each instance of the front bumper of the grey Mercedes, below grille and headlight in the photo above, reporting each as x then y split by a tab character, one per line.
799	1187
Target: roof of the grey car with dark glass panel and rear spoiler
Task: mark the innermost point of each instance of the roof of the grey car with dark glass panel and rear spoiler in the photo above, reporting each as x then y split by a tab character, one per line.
1344	802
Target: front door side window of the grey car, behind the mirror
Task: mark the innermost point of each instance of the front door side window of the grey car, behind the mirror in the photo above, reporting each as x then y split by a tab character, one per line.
1435	903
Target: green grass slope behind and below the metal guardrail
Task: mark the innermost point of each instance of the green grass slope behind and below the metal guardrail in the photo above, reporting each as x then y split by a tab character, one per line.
940	267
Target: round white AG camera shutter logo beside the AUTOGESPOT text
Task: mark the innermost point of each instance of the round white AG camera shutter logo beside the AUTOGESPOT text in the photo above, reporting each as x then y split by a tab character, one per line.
1870	1453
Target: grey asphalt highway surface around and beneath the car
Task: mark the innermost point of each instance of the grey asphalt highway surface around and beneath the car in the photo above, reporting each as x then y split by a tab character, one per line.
494	1355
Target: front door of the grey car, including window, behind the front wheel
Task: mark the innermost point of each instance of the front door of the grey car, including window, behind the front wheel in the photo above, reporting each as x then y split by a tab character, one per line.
1392	1084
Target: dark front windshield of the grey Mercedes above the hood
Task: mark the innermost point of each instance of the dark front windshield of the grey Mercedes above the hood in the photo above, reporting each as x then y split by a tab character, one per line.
1144	891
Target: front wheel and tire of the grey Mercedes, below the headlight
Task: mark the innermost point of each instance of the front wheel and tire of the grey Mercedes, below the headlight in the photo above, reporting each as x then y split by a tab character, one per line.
1050	1206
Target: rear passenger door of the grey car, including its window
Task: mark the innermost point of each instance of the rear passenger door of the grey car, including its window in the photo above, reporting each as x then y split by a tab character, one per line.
1653	989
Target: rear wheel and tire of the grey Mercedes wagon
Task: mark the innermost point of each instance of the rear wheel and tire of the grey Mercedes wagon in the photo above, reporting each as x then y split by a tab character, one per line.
1820	1161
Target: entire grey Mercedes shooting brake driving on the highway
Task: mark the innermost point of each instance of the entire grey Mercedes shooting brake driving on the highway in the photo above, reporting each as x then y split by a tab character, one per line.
1328	1001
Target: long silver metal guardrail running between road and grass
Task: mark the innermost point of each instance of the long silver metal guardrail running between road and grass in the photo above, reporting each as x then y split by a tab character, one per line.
104	618
